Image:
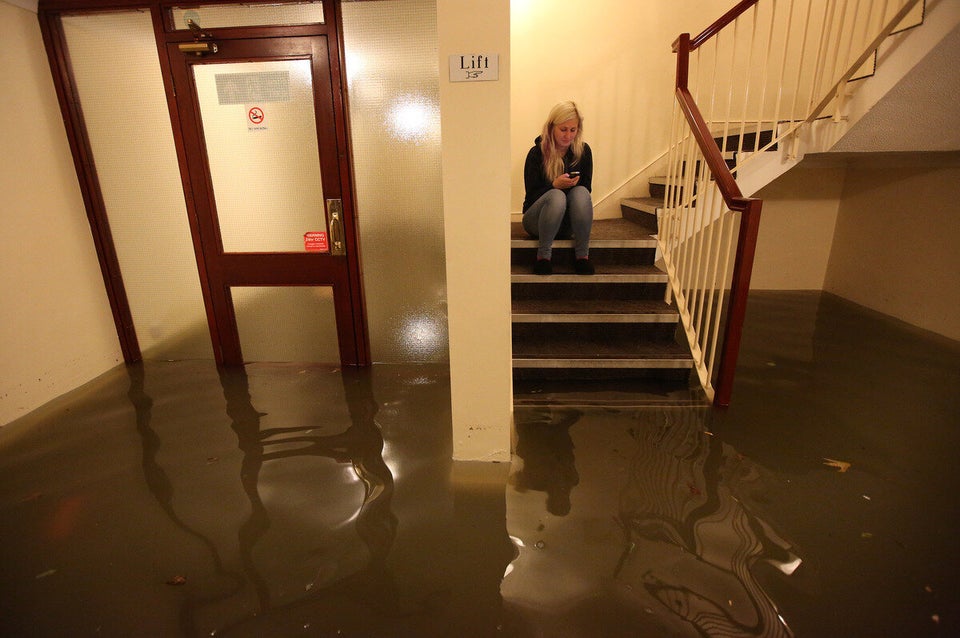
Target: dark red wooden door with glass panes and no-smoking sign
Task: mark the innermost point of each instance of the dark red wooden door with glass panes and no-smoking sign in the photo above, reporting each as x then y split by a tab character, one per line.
263	134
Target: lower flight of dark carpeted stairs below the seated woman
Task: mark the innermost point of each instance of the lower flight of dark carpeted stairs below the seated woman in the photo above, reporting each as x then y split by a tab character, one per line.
607	338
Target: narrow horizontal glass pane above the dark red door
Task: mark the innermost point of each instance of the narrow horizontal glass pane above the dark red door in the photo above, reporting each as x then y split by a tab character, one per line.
249	15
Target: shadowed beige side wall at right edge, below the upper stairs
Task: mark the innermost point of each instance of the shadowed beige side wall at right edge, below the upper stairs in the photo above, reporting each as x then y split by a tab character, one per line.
895	247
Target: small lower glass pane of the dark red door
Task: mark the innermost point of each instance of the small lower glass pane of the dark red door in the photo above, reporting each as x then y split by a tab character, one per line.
290	323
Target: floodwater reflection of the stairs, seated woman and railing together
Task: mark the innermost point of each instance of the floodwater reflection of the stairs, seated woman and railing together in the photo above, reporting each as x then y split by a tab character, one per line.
670	527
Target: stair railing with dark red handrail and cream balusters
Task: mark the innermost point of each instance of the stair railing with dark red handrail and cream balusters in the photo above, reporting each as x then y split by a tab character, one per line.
693	213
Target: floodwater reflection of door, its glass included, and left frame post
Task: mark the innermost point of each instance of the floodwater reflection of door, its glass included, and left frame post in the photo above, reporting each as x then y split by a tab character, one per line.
291	558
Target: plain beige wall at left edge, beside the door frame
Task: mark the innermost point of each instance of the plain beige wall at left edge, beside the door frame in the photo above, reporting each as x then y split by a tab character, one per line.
57	328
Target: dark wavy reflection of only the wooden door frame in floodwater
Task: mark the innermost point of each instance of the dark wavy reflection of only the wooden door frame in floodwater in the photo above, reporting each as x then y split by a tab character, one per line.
361	445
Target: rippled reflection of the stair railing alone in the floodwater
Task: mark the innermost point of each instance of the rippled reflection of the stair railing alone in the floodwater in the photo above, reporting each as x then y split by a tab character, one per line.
688	490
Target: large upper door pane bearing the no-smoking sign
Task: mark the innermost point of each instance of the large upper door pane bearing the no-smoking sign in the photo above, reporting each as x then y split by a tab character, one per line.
261	142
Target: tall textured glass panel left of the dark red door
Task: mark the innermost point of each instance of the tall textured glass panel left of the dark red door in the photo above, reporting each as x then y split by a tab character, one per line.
125	111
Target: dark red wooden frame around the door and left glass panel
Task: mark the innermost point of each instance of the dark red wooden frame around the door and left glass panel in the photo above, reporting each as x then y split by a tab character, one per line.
49	15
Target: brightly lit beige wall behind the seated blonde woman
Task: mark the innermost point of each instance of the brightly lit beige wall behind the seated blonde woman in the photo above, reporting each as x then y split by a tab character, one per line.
612	57
